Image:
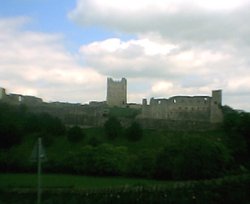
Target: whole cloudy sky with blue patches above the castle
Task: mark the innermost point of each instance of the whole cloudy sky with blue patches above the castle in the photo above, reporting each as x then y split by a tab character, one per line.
61	50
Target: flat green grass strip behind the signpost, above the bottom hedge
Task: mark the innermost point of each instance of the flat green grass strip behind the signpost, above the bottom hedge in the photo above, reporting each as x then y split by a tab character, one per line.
70	181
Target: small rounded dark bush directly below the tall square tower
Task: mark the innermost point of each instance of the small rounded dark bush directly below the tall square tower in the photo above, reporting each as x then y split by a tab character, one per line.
112	128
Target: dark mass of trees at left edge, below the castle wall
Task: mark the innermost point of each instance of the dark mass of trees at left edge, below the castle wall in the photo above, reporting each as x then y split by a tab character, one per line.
18	126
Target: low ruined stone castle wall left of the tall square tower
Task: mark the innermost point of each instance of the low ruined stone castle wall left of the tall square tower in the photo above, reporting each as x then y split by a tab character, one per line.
70	114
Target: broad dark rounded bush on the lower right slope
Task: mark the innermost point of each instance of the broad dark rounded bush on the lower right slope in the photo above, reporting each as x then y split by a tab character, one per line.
192	158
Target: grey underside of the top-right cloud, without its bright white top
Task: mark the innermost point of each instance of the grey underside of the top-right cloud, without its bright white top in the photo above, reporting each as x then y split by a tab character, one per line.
188	24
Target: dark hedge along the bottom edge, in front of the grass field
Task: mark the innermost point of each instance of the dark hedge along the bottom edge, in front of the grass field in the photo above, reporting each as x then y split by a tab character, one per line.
230	190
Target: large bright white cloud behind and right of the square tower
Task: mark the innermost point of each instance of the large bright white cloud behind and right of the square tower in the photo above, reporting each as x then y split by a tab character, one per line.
170	70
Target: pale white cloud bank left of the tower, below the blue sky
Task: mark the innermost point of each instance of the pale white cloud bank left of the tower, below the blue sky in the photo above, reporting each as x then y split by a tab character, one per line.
37	64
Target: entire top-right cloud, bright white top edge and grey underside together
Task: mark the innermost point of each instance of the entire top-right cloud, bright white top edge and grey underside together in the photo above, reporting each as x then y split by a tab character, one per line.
179	20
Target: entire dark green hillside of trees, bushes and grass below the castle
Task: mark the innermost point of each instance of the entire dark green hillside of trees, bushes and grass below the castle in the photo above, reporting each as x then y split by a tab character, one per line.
182	167
